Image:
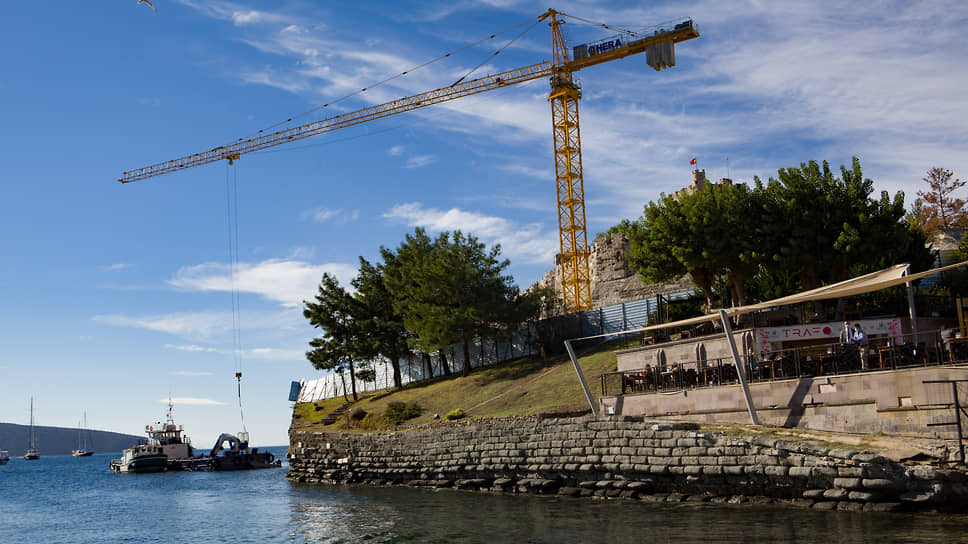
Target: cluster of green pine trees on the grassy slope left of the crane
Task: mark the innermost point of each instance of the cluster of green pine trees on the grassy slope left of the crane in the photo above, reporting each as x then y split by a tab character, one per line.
427	295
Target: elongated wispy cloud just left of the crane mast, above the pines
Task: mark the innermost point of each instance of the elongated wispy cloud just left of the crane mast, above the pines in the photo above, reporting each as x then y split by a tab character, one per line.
529	243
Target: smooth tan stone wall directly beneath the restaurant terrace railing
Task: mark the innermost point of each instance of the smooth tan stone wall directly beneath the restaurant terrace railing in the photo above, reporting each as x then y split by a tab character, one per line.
893	402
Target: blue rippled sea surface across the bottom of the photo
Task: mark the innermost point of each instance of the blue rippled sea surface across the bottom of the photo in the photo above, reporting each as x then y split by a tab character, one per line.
63	499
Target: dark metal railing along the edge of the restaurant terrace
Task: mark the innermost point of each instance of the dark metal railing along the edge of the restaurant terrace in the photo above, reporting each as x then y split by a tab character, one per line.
905	351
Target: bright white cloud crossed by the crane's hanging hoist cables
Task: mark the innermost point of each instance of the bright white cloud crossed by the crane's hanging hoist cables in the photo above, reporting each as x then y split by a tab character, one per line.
286	282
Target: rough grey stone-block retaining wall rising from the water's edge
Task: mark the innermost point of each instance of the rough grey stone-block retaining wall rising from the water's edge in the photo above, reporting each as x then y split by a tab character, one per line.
623	457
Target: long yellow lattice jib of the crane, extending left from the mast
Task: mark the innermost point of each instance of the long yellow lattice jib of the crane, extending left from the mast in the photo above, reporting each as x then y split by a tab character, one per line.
437	96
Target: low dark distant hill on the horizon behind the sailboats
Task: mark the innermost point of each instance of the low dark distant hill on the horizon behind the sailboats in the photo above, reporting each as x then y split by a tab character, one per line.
61	440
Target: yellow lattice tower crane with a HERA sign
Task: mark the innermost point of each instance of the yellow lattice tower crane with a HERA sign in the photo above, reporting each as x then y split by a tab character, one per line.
565	93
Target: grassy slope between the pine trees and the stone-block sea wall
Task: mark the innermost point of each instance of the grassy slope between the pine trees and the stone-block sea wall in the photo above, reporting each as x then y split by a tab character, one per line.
524	386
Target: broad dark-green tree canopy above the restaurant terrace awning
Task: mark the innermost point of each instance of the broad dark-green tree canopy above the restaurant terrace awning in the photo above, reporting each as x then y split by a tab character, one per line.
805	228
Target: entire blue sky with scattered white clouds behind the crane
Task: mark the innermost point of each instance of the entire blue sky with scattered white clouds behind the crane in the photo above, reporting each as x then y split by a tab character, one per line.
116	296
